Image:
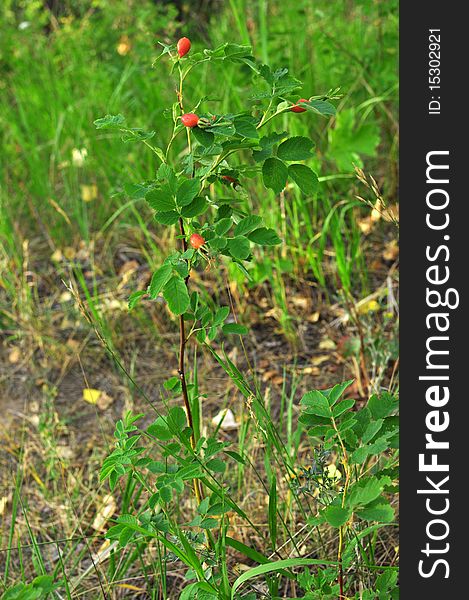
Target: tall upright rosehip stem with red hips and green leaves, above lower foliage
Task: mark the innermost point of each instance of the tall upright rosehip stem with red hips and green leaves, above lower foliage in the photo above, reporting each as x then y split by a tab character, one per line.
189	194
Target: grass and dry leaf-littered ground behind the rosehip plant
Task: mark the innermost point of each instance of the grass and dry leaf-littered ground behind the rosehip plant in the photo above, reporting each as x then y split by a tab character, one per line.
322	307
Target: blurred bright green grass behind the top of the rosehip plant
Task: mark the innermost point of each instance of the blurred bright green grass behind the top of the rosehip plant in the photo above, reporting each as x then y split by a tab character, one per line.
48	110
